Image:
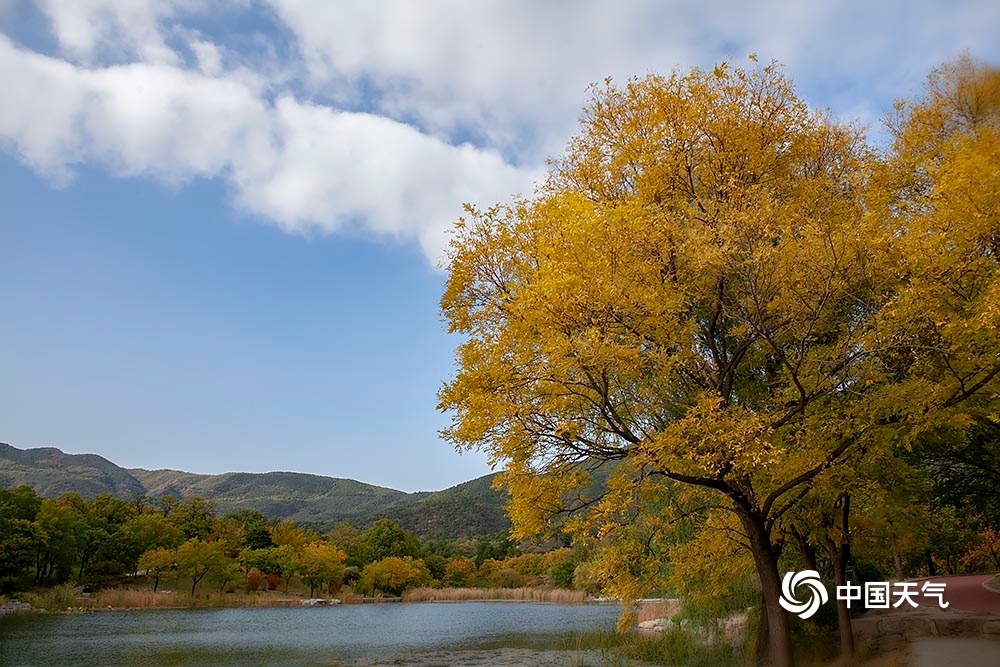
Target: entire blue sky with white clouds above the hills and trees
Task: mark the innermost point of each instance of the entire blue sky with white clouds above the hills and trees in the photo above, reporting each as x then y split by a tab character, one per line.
221	219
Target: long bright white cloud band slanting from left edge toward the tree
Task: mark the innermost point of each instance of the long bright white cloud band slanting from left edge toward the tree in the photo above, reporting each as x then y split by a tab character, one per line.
301	165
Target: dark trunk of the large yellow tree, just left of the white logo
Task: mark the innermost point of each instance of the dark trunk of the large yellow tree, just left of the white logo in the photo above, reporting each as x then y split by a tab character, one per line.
778	631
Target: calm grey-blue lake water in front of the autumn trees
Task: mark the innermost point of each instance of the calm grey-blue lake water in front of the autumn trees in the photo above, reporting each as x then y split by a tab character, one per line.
291	636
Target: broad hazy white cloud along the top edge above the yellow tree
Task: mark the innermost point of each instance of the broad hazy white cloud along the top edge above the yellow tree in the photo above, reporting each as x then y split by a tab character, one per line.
515	72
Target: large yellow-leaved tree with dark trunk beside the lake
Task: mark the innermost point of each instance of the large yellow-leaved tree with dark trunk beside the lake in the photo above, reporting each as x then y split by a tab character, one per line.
704	294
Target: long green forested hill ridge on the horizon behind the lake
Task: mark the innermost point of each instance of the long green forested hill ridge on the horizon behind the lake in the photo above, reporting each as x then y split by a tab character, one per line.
469	509
